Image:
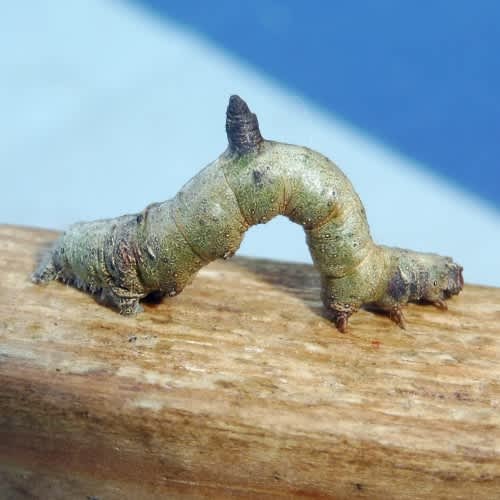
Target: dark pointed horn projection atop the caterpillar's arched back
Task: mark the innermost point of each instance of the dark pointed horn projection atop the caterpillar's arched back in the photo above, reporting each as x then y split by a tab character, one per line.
242	127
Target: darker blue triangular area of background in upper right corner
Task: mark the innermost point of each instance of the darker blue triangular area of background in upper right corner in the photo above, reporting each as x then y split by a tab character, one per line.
423	77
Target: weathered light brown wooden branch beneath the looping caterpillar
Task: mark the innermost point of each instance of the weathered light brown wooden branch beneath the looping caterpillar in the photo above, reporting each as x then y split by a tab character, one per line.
240	387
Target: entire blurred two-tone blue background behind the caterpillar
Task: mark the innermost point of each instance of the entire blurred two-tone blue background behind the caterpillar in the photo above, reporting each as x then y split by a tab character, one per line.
108	106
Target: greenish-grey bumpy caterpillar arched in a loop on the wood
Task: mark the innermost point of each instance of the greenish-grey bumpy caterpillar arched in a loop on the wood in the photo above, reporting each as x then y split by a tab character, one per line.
159	250
